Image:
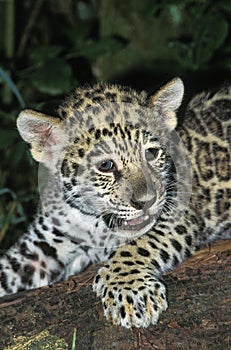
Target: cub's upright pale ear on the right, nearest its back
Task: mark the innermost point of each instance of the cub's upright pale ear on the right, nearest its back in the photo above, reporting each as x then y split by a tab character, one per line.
167	100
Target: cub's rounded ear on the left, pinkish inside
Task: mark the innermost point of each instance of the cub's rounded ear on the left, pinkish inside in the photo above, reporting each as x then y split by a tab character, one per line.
41	131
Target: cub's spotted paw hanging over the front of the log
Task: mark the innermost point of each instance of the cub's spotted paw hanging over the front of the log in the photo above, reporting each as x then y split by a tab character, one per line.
135	301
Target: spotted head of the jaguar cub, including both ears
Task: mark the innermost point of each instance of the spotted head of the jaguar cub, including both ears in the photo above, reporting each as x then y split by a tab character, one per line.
110	151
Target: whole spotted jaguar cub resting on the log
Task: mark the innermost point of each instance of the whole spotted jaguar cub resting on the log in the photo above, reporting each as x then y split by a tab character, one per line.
118	184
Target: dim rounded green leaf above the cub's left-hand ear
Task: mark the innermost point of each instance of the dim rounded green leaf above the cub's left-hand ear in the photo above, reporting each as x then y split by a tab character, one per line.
53	77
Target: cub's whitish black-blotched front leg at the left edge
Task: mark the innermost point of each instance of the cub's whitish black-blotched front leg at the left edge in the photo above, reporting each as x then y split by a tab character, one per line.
38	259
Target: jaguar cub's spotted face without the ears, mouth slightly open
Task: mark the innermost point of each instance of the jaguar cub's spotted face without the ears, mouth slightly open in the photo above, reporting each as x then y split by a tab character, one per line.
119	171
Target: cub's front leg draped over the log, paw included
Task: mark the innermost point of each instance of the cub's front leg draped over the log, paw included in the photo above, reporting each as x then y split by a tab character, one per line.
131	292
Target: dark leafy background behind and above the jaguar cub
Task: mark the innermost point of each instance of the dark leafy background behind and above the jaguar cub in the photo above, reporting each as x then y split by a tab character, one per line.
47	47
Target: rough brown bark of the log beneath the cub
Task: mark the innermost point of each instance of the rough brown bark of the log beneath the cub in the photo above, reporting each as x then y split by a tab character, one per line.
199	314
